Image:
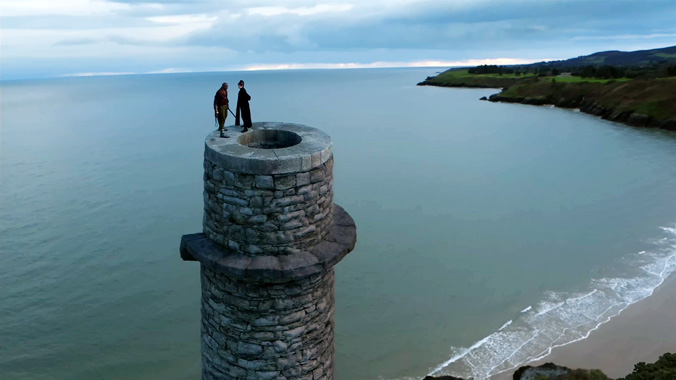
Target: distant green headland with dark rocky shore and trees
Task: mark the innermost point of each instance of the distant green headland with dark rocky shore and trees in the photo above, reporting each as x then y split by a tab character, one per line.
636	88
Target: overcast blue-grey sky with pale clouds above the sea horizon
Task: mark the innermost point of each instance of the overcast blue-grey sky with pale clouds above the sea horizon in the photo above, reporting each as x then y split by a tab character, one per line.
46	38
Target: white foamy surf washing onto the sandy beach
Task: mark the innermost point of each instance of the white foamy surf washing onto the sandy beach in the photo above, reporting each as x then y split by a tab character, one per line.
563	318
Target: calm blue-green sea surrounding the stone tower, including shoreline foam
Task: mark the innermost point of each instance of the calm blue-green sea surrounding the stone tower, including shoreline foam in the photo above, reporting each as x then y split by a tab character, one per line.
488	233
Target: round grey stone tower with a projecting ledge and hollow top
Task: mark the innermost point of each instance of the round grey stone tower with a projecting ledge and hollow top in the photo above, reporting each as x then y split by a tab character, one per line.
271	236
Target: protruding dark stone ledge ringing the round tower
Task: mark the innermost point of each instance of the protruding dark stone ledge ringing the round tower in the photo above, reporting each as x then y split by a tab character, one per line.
340	241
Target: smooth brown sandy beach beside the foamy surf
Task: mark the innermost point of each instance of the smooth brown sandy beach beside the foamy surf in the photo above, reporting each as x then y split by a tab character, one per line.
641	333
